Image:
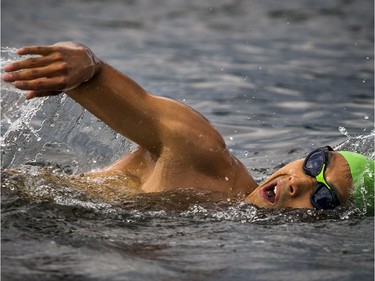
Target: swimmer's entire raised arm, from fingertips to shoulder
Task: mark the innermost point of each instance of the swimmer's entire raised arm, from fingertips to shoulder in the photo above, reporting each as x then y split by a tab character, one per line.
152	122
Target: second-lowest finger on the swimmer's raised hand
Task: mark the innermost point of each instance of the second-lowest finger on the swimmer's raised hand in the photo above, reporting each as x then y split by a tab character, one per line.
43	84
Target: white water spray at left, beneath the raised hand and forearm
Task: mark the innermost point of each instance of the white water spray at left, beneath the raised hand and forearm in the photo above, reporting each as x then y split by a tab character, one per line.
53	129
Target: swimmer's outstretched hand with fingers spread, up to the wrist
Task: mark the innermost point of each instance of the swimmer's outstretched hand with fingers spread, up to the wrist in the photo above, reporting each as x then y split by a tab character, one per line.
57	68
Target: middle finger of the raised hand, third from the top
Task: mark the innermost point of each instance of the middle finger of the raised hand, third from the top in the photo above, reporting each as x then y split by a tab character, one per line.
36	73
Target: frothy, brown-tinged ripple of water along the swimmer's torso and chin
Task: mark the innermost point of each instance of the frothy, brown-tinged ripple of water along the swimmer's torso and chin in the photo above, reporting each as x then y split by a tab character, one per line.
50	185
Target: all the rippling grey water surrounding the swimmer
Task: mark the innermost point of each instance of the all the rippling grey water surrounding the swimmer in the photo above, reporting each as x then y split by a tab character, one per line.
276	78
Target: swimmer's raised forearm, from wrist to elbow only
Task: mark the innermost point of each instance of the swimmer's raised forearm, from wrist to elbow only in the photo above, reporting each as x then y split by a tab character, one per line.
122	104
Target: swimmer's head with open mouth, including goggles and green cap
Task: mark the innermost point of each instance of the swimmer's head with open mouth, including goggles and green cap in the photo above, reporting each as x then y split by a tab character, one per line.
324	180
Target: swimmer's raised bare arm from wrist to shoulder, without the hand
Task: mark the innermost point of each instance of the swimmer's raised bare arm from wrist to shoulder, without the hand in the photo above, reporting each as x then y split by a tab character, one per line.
150	121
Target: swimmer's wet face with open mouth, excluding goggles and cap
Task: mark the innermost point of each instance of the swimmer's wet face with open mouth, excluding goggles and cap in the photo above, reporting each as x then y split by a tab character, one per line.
291	187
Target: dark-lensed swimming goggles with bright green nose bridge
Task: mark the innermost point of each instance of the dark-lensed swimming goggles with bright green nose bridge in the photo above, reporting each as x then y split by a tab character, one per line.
315	164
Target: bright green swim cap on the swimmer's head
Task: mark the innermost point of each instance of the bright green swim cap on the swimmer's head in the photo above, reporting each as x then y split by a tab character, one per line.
362	171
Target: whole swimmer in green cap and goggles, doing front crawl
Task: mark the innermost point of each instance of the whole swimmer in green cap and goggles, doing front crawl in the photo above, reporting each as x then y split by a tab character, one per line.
178	147
